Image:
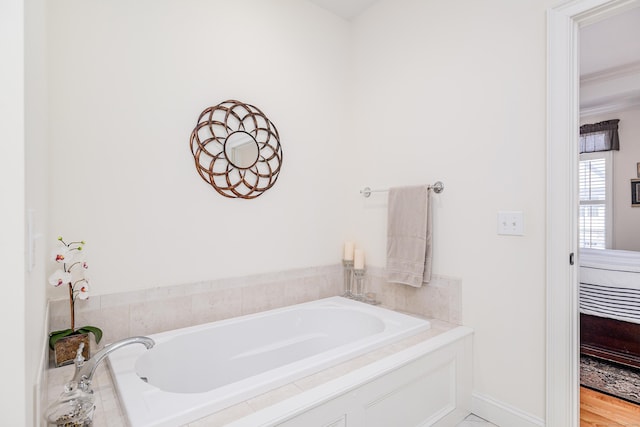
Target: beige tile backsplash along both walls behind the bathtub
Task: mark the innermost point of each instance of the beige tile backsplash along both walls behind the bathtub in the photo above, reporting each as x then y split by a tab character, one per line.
162	309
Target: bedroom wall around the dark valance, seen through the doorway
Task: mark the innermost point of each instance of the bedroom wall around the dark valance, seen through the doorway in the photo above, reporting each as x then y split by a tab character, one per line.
626	232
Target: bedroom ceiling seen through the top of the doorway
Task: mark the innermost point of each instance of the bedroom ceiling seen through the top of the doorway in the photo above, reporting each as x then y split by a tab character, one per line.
611	43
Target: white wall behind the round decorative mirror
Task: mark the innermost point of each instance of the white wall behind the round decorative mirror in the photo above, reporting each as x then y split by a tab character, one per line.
127	83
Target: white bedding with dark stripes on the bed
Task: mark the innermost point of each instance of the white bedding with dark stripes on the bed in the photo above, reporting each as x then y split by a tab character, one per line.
610	284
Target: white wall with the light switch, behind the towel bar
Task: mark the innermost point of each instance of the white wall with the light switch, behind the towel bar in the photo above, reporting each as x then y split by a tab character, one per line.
455	91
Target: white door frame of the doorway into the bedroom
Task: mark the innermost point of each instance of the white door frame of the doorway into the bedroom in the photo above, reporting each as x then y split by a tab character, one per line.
563	120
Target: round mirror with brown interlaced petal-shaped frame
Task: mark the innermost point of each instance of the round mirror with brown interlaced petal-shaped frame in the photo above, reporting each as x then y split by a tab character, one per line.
236	149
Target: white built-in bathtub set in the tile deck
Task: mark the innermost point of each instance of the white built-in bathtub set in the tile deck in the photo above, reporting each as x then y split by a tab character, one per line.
195	371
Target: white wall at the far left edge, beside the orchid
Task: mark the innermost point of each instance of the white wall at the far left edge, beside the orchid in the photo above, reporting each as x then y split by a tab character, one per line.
23	165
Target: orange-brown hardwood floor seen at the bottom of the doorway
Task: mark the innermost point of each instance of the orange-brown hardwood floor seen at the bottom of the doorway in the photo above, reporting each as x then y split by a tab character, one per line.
601	410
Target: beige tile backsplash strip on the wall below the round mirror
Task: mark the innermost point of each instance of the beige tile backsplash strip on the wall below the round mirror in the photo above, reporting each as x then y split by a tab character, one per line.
162	309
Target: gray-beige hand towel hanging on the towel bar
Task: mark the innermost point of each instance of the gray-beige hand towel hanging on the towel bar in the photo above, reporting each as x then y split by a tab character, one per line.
409	236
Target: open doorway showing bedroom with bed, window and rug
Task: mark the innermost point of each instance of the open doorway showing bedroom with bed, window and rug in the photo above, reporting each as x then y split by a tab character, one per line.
609	226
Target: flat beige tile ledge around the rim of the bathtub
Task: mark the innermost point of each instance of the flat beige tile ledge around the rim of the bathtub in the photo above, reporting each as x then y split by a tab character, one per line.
109	413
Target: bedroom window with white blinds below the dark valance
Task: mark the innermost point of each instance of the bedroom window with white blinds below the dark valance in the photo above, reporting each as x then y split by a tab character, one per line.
595	200
